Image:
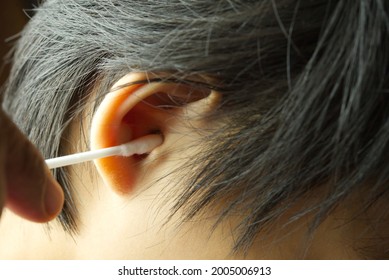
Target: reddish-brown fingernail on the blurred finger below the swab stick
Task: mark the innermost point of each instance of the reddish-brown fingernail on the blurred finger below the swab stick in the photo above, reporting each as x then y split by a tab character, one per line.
54	198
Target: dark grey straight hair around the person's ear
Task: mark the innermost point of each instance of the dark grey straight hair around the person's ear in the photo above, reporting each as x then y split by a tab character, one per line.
304	89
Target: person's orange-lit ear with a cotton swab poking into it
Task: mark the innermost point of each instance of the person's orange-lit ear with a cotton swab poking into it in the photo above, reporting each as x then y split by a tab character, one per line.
136	110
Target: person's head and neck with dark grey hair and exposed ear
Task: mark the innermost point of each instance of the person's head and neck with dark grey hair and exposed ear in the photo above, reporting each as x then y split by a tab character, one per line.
274	116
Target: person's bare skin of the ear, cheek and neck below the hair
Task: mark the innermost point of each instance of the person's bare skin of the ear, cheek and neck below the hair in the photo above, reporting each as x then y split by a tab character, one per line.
126	219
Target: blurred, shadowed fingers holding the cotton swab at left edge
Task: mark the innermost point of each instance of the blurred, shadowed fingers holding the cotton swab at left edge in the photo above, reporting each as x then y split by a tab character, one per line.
26	185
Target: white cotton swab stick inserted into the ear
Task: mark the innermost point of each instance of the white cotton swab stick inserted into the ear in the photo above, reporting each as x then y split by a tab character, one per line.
138	146
